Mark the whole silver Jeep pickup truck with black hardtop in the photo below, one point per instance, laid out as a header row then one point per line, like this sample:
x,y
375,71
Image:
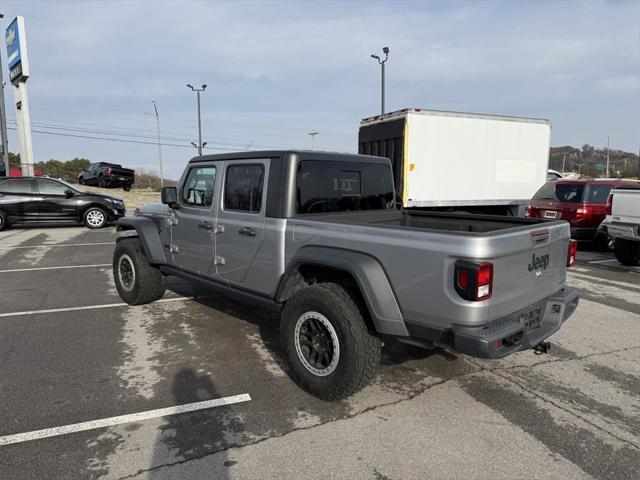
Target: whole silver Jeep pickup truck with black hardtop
x,y
317,235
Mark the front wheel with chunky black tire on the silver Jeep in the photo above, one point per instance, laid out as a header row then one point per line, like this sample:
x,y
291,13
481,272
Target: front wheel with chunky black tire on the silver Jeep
x,y
147,284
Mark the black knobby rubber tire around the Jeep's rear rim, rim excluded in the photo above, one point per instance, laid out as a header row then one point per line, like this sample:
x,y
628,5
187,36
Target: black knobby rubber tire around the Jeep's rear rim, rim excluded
x,y
359,349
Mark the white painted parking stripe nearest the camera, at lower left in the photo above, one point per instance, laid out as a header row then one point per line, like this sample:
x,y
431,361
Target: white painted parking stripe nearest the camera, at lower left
x,y
122,419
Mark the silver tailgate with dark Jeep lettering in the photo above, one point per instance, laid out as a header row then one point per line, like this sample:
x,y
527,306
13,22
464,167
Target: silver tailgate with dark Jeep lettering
x,y
528,267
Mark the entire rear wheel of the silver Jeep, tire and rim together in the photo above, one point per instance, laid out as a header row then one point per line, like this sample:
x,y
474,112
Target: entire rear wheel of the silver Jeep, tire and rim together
x,y
330,351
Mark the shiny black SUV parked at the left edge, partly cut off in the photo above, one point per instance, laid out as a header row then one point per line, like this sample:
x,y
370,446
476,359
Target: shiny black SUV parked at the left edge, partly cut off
x,y
44,200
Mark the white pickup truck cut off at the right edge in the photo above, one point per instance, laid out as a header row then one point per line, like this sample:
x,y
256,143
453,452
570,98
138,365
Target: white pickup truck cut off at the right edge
x,y
623,224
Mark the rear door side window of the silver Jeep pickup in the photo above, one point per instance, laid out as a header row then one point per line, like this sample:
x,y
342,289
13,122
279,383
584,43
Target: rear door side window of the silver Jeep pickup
x,y
243,188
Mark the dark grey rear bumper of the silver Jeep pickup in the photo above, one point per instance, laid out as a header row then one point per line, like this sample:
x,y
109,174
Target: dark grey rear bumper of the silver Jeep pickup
x,y
521,330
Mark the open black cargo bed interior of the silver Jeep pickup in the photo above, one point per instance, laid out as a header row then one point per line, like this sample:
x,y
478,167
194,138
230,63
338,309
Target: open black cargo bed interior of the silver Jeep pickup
x,y
435,221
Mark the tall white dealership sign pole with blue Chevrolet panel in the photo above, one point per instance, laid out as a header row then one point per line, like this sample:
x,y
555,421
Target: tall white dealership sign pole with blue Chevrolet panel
x,y
18,74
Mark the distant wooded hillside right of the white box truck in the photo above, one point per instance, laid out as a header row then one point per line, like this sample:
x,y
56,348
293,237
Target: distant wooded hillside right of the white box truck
x,y
592,162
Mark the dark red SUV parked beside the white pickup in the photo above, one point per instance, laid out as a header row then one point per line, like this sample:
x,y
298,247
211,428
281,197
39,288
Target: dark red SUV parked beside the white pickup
x,y
582,202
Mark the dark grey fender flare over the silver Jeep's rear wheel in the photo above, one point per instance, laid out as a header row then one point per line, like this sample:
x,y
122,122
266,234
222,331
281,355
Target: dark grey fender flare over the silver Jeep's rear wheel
x,y
368,273
